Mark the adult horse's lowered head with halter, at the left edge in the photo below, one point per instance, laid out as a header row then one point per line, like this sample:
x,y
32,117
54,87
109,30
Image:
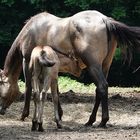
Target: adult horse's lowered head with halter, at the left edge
x,y
8,92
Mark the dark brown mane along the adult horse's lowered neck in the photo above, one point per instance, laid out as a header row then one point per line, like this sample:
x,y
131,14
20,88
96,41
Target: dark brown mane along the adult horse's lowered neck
x,y
14,57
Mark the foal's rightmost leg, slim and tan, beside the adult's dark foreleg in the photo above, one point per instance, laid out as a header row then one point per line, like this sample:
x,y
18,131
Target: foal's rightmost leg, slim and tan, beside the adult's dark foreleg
x,y
56,102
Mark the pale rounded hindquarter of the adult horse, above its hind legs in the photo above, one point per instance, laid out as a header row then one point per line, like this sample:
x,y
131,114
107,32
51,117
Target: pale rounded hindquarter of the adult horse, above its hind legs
x,y
89,36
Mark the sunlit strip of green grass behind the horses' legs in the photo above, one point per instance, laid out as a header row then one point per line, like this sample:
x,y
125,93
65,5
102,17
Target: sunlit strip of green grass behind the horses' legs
x,y
66,84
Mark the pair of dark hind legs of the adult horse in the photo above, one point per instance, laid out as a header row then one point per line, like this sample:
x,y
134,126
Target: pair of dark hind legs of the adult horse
x,y
101,95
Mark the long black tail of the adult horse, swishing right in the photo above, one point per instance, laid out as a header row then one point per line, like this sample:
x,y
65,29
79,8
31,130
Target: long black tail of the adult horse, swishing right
x,y
128,37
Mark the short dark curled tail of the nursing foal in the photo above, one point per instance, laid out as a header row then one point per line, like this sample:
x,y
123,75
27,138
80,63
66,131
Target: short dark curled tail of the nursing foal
x,y
44,60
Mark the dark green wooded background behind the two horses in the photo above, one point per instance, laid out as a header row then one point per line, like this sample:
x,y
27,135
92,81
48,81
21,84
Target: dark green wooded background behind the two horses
x,y
14,13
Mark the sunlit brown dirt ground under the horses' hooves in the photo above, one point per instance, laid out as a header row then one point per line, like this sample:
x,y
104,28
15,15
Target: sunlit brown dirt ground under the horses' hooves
x,y
124,123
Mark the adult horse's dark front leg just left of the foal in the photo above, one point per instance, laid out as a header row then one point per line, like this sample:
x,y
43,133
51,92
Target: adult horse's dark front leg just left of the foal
x,y
28,89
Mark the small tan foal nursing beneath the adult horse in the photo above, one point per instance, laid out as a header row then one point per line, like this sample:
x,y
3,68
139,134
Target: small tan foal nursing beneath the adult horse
x,y
44,66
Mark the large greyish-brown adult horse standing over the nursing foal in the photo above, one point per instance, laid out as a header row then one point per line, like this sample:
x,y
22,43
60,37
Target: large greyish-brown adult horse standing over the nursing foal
x,y
89,36
